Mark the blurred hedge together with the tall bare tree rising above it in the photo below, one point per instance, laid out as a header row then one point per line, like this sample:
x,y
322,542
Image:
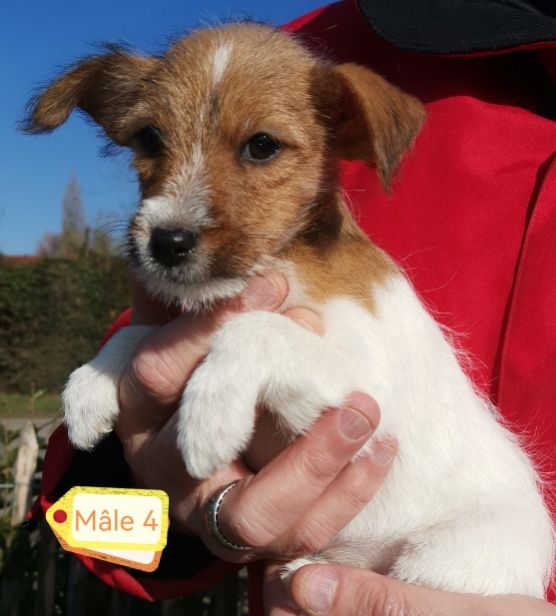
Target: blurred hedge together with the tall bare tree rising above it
x,y
56,305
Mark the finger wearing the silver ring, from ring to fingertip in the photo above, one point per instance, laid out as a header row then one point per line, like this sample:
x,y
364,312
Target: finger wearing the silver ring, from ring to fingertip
x,y
262,509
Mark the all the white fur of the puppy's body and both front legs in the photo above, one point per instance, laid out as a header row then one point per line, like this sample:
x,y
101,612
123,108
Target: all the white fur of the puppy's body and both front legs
x,y
460,509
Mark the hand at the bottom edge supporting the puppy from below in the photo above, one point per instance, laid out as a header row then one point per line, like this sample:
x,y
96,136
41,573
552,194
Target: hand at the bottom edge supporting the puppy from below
x,y
343,591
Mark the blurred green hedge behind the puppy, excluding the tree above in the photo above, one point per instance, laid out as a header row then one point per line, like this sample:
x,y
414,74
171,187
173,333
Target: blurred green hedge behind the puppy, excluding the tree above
x,y
53,313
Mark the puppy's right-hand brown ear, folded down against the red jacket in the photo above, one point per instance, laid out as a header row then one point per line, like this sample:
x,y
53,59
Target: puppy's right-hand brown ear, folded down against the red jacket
x,y
369,118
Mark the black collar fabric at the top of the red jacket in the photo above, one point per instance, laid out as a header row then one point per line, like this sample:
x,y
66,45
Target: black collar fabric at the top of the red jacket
x,y
461,26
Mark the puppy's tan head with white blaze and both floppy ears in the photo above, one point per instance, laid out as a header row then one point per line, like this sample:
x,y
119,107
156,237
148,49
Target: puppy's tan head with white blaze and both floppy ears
x,y
235,132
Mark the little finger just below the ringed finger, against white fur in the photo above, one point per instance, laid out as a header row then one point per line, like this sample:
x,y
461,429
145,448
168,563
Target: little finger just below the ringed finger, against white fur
x,y
344,498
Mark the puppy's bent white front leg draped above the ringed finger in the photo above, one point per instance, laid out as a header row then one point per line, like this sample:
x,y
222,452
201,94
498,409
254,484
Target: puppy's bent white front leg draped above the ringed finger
x,y
252,358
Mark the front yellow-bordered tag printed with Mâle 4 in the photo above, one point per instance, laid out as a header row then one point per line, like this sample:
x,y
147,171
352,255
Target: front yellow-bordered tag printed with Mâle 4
x,y
106,519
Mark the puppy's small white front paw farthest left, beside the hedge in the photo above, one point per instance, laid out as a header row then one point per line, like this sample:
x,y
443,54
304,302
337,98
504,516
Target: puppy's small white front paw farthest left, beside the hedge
x,y
90,405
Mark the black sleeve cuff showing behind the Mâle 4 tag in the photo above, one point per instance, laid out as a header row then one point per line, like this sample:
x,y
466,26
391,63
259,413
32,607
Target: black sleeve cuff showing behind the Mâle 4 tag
x,y
105,466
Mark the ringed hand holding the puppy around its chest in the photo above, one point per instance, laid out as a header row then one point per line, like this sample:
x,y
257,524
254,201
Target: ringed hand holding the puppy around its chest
x,y
269,510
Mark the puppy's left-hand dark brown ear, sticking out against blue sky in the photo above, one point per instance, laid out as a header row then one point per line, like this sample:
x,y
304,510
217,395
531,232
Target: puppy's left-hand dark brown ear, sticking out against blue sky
x,y
102,86
